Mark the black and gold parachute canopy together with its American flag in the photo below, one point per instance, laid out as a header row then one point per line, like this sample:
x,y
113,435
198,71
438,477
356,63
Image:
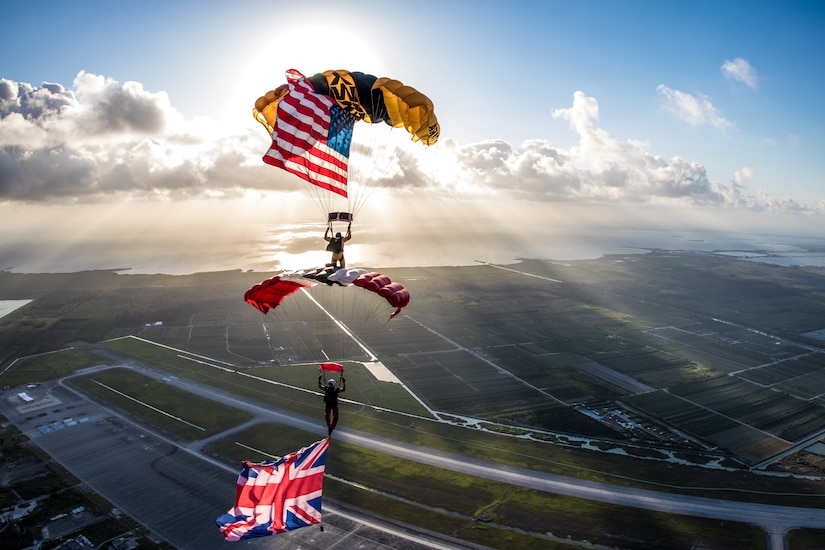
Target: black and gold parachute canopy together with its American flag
x,y
311,121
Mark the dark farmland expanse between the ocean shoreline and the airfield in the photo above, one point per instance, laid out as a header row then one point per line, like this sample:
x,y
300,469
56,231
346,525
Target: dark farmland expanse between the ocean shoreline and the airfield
x,y
708,347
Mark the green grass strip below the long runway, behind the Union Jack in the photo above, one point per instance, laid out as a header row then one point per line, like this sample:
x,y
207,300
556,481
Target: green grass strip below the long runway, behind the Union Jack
x,y
458,504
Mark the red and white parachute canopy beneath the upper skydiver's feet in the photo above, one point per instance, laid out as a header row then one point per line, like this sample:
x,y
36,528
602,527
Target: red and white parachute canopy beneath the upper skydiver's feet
x,y
272,292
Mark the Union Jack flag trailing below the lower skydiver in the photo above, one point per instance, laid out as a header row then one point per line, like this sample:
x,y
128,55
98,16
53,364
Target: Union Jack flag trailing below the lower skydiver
x,y
276,496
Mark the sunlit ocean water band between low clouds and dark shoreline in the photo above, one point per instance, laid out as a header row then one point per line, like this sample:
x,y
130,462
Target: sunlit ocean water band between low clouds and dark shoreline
x,y
300,245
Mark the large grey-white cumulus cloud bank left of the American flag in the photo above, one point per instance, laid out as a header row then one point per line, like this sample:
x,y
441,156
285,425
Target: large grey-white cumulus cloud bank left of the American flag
x,y
104,139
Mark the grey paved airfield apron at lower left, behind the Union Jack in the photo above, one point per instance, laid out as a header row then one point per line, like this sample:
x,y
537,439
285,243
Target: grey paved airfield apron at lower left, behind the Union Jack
x,y
178,493
